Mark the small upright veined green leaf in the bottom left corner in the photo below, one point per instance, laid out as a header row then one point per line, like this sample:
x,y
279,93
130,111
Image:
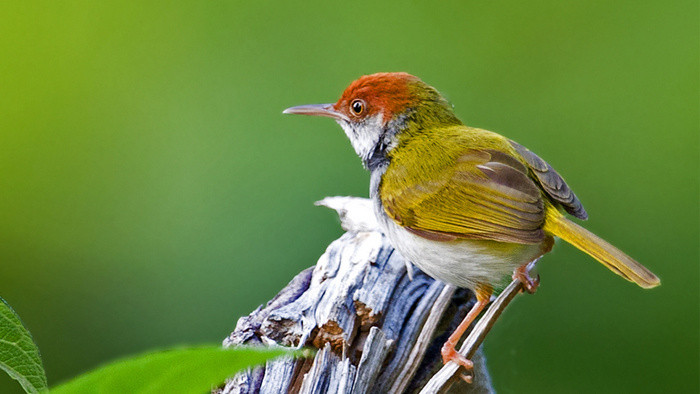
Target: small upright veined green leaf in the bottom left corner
x,y
19,355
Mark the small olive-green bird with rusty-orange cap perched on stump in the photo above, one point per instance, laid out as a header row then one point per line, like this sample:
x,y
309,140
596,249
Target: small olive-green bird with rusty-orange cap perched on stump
x,y
465,205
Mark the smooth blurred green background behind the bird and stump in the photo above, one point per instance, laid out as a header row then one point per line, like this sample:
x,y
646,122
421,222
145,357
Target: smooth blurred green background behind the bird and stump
x,y
152,192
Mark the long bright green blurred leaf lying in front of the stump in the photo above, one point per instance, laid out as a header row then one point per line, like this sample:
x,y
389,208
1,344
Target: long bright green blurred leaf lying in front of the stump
x,y
185,370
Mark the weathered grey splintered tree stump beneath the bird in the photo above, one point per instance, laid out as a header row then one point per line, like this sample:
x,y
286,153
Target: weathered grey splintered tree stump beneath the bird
x,y
378,322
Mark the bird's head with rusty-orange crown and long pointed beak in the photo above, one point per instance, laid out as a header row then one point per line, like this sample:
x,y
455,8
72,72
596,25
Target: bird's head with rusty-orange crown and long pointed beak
x,y
376,111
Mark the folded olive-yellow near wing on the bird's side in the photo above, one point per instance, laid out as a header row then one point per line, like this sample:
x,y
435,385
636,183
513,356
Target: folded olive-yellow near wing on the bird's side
x,y
480,194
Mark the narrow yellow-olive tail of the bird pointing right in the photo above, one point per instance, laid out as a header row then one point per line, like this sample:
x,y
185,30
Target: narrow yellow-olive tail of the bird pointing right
x,y
599,249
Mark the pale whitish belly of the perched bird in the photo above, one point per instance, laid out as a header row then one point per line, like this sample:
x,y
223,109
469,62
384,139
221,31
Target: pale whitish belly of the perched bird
x,y
462,263
